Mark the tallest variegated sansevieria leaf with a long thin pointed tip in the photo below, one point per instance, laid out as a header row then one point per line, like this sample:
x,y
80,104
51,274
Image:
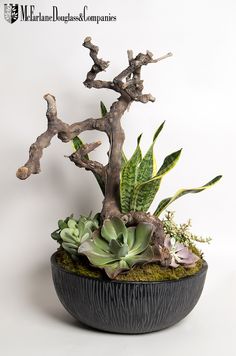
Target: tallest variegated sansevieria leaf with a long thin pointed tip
x,y
147,167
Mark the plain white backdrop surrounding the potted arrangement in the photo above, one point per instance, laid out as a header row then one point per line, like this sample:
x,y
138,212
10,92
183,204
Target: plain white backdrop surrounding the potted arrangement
x,y
195,91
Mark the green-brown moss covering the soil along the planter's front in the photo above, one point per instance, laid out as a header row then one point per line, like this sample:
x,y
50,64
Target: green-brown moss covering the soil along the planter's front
x,y
147,272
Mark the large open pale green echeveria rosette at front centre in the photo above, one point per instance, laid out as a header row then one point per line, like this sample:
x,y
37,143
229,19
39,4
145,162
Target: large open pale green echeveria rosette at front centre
x,y
118,248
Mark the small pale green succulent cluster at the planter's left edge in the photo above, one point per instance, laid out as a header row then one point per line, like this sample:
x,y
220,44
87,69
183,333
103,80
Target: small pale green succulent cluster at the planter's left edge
x,y
71,232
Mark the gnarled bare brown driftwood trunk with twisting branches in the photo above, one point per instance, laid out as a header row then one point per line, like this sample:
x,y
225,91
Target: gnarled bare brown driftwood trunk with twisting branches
x,y
129,85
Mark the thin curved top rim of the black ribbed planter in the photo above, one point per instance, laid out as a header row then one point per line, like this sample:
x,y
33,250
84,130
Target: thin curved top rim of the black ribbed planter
x,y
103,280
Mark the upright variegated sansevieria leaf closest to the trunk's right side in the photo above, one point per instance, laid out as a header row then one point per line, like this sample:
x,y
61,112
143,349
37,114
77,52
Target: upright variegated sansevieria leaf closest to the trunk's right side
x,y
128,178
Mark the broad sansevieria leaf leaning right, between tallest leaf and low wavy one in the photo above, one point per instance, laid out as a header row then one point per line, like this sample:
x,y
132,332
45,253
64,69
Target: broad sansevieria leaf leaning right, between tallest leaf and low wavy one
x,y
145,192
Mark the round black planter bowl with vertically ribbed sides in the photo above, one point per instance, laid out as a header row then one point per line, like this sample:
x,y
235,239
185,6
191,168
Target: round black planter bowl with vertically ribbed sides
x,y
127,307
